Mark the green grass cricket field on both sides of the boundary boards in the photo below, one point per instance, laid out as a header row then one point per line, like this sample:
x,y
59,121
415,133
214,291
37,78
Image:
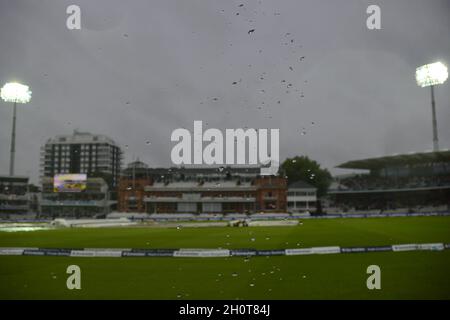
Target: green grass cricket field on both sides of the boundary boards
x,y
404,275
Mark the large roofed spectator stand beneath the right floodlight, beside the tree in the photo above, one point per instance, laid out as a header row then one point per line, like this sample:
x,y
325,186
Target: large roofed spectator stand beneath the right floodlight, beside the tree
x,y
415,182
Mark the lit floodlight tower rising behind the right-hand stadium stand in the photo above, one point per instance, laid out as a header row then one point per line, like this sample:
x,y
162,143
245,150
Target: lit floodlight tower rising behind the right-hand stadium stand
x,y
430,75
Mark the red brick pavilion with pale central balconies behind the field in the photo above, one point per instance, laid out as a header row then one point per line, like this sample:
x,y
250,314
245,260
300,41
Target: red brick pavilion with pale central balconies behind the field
x,y
202,190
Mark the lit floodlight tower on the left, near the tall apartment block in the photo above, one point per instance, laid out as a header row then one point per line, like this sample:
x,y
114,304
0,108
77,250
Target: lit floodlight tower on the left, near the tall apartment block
x,y
16,93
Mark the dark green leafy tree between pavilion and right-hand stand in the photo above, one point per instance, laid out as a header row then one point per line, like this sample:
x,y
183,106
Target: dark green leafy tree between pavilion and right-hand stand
x,y
301,168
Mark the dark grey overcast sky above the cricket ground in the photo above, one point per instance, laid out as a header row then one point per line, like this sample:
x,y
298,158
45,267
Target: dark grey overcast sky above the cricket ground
x,y
137,70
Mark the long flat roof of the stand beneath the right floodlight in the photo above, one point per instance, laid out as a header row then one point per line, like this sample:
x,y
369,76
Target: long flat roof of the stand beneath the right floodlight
x,y
398,159
